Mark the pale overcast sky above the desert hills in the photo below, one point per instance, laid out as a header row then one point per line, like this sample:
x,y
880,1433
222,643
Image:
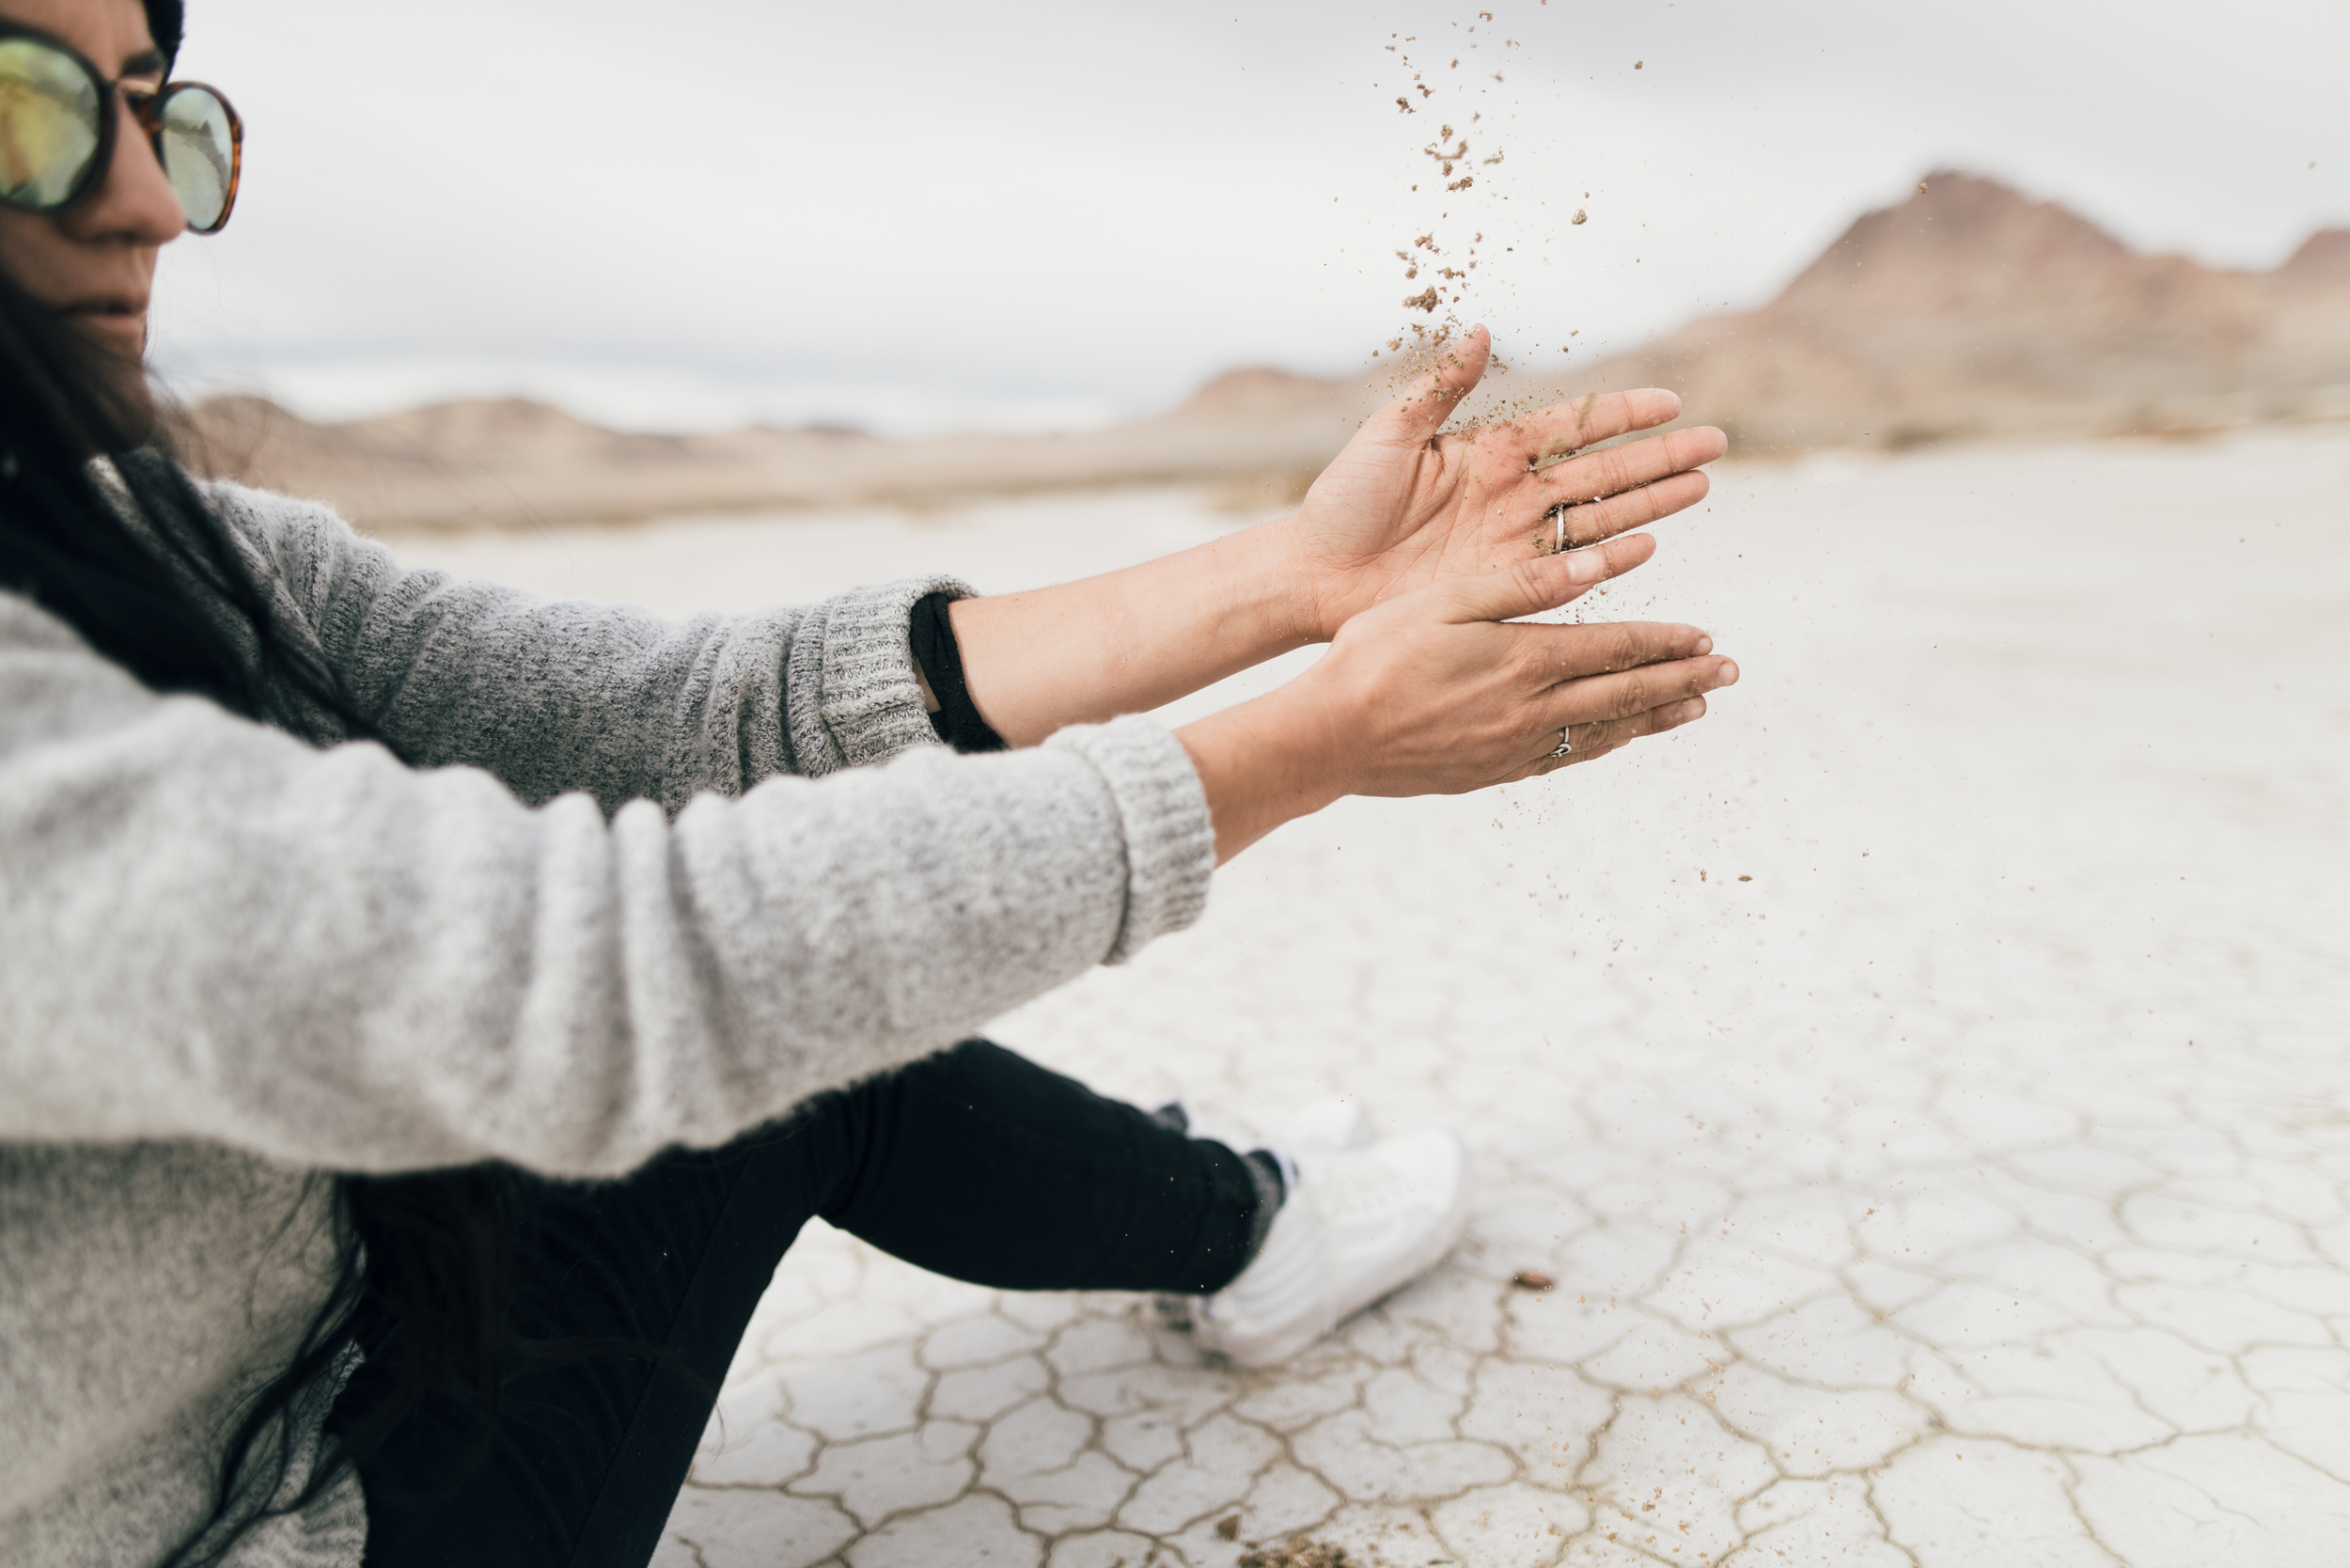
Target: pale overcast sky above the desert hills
x,y
1059,213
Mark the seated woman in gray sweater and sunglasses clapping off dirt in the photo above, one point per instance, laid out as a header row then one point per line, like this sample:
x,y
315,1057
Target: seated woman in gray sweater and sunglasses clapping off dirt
x,y
429,1012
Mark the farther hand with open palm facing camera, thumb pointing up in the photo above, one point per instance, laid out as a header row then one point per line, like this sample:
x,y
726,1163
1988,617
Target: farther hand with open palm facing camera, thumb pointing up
x,y
1404,507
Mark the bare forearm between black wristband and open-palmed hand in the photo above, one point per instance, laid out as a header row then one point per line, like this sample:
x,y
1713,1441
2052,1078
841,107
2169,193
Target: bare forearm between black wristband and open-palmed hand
x,y
1132,641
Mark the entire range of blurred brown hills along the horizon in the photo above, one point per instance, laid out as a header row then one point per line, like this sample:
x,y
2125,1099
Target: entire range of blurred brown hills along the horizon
x,y
1966,311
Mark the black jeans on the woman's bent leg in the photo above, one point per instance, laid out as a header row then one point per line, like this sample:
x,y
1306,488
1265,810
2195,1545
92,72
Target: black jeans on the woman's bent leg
x,y
974,1165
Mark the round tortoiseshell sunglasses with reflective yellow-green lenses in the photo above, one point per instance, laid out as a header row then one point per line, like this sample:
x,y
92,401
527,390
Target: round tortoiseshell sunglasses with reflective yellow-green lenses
x,y
58,133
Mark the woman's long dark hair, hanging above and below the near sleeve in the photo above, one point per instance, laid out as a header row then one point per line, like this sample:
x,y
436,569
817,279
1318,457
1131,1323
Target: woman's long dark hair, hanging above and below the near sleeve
x,y
438,1254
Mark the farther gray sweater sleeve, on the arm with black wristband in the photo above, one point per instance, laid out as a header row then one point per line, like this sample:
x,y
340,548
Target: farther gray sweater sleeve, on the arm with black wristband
x,y
610,699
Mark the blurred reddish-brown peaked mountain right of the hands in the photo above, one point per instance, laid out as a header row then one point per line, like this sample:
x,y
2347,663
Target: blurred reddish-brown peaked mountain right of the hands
x,y
1975,311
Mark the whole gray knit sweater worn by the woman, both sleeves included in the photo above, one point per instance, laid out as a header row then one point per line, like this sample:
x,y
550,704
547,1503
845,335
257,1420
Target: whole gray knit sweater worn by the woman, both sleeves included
x,y
650,885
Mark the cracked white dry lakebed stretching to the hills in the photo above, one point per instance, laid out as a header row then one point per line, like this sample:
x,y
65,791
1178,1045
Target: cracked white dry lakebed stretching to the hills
x,y
1966,1188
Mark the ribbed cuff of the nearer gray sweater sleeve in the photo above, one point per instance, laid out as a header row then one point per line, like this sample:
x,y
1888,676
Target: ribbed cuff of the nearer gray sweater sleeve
x,y
1169,838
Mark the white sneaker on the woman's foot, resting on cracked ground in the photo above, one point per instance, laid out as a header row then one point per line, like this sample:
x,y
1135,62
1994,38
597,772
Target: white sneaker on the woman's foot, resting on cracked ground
x,y
1357,1226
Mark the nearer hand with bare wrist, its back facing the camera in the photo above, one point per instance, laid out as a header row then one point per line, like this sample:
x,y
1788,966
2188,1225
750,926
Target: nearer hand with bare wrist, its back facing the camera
x,y
1439,692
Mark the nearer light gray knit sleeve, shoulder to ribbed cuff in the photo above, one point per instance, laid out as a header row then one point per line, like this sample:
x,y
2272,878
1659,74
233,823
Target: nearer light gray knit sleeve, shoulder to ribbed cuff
x,y
217,932
